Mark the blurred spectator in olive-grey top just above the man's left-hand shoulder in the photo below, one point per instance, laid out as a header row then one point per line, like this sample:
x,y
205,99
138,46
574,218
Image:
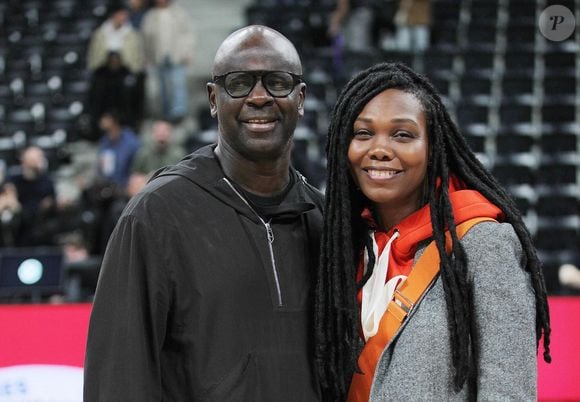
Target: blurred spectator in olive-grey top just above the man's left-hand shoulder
x,y
161,151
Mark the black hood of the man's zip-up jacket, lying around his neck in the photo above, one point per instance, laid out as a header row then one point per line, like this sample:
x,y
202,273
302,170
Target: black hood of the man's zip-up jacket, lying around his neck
x,y
202,168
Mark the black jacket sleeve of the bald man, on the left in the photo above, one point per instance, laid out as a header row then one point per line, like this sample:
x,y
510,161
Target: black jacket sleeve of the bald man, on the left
x,y
128,320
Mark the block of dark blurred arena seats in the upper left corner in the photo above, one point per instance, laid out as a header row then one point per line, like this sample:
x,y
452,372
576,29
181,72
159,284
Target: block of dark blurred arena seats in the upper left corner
x,y
43,79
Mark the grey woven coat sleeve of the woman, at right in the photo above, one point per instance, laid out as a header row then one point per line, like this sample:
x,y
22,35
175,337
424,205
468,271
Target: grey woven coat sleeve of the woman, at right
x,y
504,314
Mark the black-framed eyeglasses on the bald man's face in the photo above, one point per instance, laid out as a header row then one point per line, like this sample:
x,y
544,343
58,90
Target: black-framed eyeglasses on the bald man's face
x,y
238,84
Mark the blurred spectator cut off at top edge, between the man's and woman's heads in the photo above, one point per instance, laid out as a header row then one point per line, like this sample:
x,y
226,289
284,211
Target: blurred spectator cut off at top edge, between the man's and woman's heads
x,y
352,22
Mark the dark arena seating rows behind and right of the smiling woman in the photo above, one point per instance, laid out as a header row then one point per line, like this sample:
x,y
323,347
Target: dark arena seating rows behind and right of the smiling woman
x,y
514,94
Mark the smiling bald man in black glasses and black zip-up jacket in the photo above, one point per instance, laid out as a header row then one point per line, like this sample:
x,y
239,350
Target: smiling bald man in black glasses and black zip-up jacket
x,y
204,291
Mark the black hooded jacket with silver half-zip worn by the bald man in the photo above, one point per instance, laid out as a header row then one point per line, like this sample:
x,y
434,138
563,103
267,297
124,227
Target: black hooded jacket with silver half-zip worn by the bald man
x,y
199,299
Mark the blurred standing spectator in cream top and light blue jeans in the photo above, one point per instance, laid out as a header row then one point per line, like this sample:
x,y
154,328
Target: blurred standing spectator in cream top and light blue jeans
x,y
168,39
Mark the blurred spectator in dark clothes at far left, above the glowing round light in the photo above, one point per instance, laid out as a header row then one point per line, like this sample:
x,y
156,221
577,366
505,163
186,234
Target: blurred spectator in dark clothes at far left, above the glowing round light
x,y
36,194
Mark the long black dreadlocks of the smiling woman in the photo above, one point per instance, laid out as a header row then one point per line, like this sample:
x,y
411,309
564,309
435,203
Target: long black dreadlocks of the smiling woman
x,y
338,342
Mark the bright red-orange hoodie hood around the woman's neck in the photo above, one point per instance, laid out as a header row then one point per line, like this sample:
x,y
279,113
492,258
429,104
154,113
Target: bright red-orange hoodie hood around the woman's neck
x,y
415,228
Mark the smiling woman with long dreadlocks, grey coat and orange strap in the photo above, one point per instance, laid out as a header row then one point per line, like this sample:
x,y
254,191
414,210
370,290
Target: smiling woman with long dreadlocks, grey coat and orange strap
x,y
429,286
